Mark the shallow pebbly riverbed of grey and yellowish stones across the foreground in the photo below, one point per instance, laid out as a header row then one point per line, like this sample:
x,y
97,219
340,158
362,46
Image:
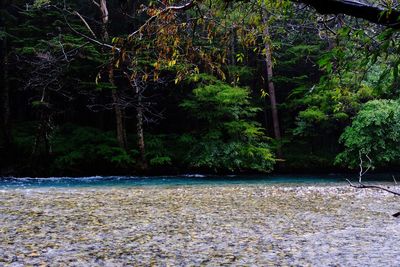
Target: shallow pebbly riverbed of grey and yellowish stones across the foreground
x,y
237,225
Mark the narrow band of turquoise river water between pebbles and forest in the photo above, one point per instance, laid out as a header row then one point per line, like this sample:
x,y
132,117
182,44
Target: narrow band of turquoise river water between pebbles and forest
x,y
184,180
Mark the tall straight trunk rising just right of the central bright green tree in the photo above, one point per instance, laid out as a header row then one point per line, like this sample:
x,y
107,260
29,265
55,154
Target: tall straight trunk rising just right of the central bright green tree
x,y
271,87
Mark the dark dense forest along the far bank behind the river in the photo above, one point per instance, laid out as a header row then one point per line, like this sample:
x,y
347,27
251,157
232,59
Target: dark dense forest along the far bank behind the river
x,y
126,87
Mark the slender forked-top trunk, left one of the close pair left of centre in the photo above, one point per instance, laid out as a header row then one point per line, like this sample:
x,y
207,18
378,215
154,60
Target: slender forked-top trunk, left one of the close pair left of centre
x,y
119,114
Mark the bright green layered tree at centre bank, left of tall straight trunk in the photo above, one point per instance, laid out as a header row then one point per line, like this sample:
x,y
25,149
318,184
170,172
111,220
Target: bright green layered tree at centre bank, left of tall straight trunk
x,y
230,140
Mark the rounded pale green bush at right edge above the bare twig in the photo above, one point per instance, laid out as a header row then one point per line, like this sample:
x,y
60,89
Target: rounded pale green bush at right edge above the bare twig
x,y
375,132
